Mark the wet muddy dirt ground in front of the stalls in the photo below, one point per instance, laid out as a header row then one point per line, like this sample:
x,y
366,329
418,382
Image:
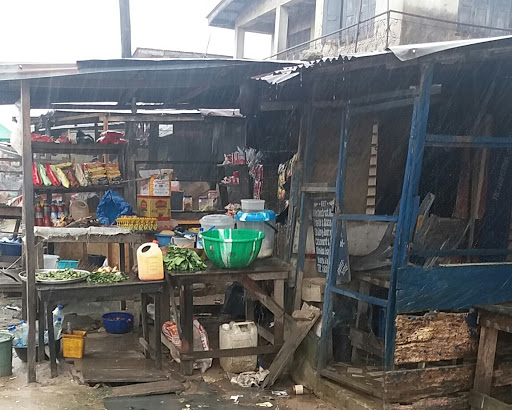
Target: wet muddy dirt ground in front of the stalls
x,y
63,393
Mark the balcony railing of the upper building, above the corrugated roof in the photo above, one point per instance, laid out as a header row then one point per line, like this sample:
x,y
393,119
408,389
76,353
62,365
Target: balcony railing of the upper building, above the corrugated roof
x,y
384,30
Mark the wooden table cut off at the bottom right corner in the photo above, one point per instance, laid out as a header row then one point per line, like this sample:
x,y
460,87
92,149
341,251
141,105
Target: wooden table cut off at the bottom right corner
x,y
492,320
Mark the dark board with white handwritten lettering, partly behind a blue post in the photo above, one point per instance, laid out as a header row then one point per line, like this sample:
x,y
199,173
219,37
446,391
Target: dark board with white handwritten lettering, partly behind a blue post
x,y
322,228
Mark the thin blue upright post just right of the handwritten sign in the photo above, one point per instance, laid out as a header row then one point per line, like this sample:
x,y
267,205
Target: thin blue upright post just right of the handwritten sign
x,y
330,283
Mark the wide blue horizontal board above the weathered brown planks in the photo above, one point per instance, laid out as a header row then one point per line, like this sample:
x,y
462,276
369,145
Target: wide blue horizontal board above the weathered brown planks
x,y
440,287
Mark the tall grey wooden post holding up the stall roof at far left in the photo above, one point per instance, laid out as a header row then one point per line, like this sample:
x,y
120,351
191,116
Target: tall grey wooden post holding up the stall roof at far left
x,y
28,218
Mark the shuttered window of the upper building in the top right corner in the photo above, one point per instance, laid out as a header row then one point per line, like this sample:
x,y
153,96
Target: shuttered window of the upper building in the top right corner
x,y
490,14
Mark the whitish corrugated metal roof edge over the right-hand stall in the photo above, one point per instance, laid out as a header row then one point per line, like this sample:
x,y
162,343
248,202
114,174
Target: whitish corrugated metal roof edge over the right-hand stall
x,y
402,53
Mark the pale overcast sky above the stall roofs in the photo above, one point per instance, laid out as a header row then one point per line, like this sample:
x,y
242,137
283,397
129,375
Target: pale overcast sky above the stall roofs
x,y
69,30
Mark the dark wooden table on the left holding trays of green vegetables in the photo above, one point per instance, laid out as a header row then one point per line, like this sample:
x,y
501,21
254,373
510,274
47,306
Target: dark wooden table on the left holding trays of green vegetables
x,y
52,295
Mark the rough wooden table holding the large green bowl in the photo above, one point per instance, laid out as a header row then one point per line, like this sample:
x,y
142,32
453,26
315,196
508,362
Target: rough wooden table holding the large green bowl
x,y
271,269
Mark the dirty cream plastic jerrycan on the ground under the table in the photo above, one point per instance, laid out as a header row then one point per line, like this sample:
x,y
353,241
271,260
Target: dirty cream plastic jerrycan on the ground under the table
x,y
236,335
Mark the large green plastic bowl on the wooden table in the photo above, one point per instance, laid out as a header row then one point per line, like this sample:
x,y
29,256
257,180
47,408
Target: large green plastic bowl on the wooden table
x,y
232,248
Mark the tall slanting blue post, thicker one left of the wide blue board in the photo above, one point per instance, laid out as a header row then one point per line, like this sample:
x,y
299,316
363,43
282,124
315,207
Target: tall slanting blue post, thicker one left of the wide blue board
x,y
407,203
